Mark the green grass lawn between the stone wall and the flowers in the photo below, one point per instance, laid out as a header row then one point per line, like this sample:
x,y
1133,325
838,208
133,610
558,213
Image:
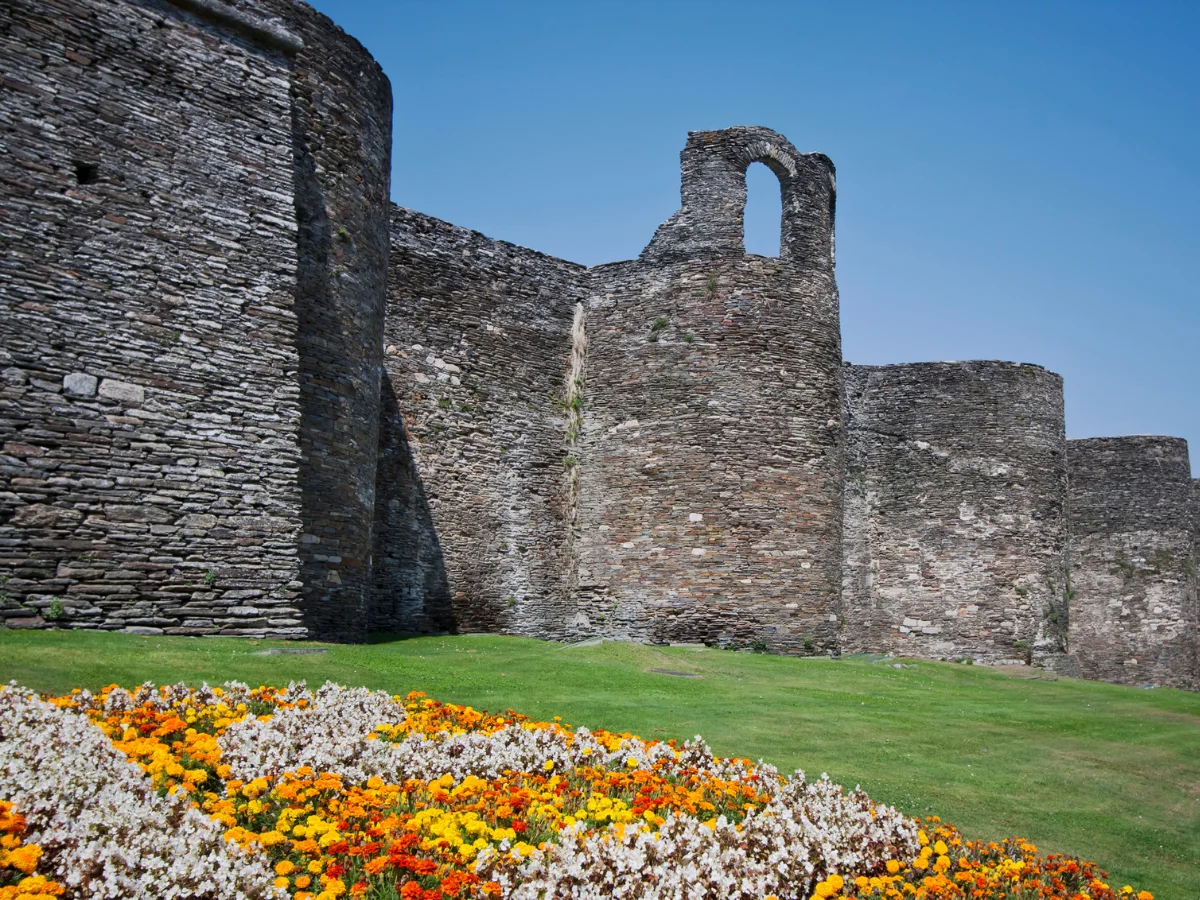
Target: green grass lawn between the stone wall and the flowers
x,y
1106,772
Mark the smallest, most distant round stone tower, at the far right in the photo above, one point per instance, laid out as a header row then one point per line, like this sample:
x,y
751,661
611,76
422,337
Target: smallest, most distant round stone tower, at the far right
x,y
1133,614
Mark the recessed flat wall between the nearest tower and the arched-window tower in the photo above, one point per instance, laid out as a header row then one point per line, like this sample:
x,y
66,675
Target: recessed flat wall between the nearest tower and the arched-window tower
x,y
475,483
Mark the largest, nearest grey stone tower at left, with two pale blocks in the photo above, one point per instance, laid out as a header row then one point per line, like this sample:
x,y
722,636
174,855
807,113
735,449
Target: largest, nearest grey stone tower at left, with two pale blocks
x,y
153,286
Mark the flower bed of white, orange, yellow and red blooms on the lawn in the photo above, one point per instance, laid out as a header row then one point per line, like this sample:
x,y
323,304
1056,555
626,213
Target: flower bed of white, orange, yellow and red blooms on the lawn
x,y
339,793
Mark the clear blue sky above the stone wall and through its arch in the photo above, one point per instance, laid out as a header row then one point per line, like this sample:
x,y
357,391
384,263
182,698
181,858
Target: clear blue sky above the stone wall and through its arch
x,y
1016,181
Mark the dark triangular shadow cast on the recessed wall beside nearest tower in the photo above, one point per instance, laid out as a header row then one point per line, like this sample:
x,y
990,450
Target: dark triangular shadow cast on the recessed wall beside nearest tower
x,y
412,592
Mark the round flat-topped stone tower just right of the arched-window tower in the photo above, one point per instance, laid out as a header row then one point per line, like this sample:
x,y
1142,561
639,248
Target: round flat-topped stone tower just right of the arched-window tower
x,y
956,511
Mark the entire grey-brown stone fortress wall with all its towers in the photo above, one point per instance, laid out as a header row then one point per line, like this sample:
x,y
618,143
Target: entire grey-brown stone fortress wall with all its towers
x,y
243,394
